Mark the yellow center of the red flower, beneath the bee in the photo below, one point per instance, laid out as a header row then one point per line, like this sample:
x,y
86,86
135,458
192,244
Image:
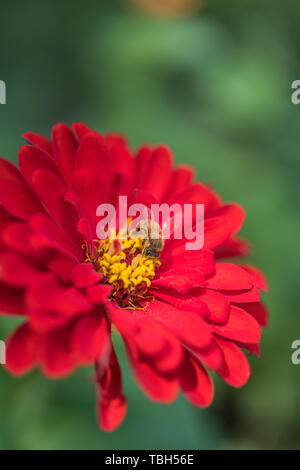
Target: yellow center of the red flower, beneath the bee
x,y
122,261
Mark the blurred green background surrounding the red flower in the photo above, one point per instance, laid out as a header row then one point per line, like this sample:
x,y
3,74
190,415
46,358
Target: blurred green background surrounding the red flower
x,y
212,80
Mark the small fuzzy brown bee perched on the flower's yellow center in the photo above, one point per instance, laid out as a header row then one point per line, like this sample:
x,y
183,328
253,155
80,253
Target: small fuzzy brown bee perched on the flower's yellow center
x,y
150,232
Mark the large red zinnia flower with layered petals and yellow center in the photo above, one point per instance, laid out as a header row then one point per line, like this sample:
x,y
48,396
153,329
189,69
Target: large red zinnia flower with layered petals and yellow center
x,y
177,319
